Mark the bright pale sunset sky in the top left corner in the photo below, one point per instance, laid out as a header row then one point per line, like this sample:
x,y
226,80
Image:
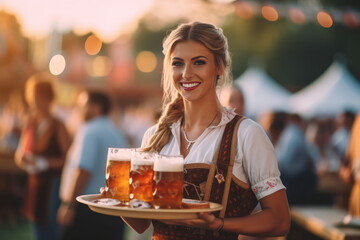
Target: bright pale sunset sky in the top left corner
x,y
106,17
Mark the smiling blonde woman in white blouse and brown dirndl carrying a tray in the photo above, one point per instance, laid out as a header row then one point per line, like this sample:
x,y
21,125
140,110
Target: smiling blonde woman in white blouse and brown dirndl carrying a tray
x,y
192,124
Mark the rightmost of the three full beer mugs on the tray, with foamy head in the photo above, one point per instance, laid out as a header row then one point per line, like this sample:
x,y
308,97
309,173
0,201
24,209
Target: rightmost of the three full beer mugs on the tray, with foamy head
x,y
168,181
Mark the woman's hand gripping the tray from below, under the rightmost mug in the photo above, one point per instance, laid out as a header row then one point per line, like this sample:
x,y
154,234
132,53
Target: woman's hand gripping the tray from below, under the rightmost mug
x,y
205,220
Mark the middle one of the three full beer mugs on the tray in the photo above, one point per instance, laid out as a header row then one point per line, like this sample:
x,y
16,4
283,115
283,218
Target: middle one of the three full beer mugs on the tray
x,y
141,176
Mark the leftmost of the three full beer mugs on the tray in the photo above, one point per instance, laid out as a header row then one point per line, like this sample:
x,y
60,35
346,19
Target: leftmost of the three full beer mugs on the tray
x,y
118,173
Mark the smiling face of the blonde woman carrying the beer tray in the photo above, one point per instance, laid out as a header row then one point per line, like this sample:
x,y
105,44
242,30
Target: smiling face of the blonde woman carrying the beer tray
x,y
194,71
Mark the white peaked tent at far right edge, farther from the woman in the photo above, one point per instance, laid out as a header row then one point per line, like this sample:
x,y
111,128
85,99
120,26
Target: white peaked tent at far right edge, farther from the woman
x,y
334,91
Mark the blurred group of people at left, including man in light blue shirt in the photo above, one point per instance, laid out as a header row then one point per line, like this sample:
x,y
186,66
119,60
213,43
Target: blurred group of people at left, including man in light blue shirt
x,y
59,153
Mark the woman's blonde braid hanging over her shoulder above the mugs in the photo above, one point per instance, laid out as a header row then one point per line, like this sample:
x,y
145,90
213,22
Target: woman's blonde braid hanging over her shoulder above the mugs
x,y
172,113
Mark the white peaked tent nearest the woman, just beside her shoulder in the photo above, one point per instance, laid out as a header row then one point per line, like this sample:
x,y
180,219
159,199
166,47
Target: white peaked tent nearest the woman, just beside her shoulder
x,y
261,93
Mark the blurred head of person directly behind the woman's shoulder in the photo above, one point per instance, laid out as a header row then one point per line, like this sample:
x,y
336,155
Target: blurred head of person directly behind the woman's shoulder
x,y
232,96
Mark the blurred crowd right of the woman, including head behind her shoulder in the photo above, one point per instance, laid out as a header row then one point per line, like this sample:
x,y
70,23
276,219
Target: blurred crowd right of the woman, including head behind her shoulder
x,y
316,162
